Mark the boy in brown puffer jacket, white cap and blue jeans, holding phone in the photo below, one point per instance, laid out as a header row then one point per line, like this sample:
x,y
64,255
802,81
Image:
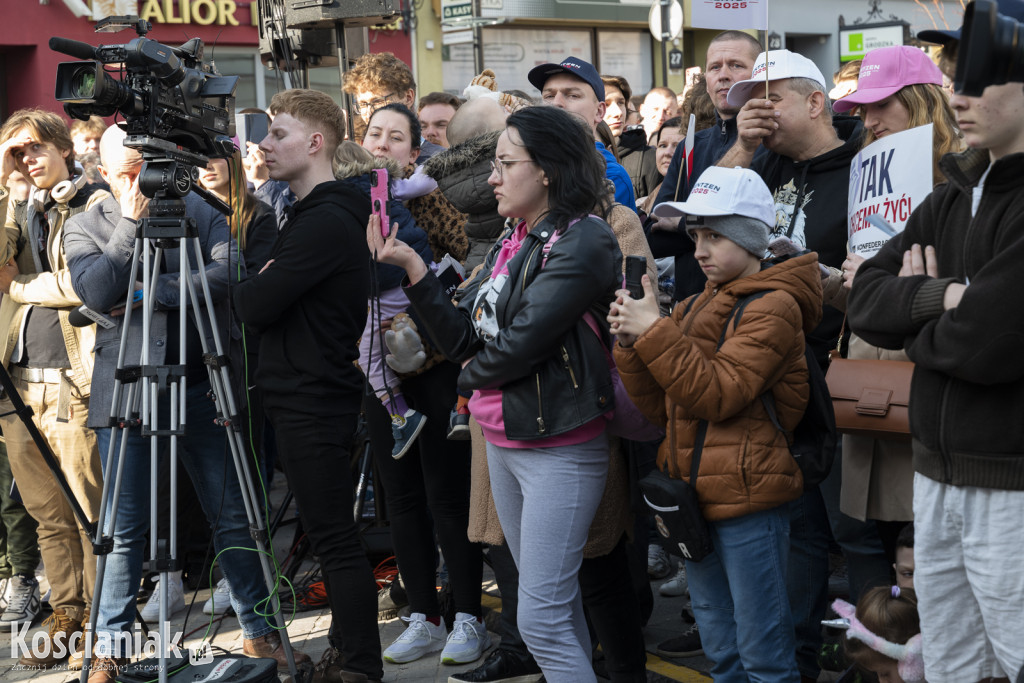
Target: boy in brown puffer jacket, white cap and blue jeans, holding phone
x,y
677,376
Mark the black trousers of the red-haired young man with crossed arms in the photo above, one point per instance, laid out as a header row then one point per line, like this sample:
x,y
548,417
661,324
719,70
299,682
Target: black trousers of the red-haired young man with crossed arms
x,y
315,452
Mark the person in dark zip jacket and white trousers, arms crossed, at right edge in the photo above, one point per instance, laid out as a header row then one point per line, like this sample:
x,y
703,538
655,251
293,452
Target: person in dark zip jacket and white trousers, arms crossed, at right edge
x,y
947,289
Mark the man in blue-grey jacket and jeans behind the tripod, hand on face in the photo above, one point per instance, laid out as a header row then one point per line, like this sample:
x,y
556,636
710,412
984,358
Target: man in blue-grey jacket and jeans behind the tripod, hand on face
x,y
100,247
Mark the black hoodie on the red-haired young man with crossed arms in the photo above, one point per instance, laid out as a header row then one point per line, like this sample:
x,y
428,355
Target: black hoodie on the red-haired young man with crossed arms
x,y
311,305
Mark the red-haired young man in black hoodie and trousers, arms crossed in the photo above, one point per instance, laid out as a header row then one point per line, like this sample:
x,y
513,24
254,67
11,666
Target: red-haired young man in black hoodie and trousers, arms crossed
x,y
309,304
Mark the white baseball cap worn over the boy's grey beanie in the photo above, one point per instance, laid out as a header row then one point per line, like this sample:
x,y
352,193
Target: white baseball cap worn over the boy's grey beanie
x,y
726,192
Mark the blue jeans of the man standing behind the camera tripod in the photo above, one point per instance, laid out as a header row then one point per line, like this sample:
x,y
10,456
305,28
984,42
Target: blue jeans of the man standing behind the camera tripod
x,y
207,459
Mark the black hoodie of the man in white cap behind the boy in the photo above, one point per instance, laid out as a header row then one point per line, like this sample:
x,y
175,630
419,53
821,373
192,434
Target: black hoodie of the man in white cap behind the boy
x,y
810,209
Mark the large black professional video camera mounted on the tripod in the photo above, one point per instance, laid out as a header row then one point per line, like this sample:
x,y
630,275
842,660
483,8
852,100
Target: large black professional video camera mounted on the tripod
x,y
176,106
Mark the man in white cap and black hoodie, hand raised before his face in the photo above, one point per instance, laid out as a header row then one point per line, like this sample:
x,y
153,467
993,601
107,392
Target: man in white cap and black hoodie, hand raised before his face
x,y
785,109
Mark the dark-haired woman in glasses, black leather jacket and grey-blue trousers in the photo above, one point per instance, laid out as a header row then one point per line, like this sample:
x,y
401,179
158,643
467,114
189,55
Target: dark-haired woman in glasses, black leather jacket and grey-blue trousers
x,y
538,373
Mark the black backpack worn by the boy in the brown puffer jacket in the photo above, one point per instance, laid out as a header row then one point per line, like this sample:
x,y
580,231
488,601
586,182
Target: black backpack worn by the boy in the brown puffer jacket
x,y
814,441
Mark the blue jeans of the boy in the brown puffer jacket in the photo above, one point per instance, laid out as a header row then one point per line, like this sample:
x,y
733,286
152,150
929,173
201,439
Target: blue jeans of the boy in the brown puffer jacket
x,y
741,603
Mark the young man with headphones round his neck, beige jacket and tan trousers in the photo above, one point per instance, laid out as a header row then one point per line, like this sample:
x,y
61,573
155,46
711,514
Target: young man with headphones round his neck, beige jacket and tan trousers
x,y
51,363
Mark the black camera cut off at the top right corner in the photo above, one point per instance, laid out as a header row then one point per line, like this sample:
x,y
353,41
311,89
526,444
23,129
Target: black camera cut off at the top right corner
x,y
992,50
